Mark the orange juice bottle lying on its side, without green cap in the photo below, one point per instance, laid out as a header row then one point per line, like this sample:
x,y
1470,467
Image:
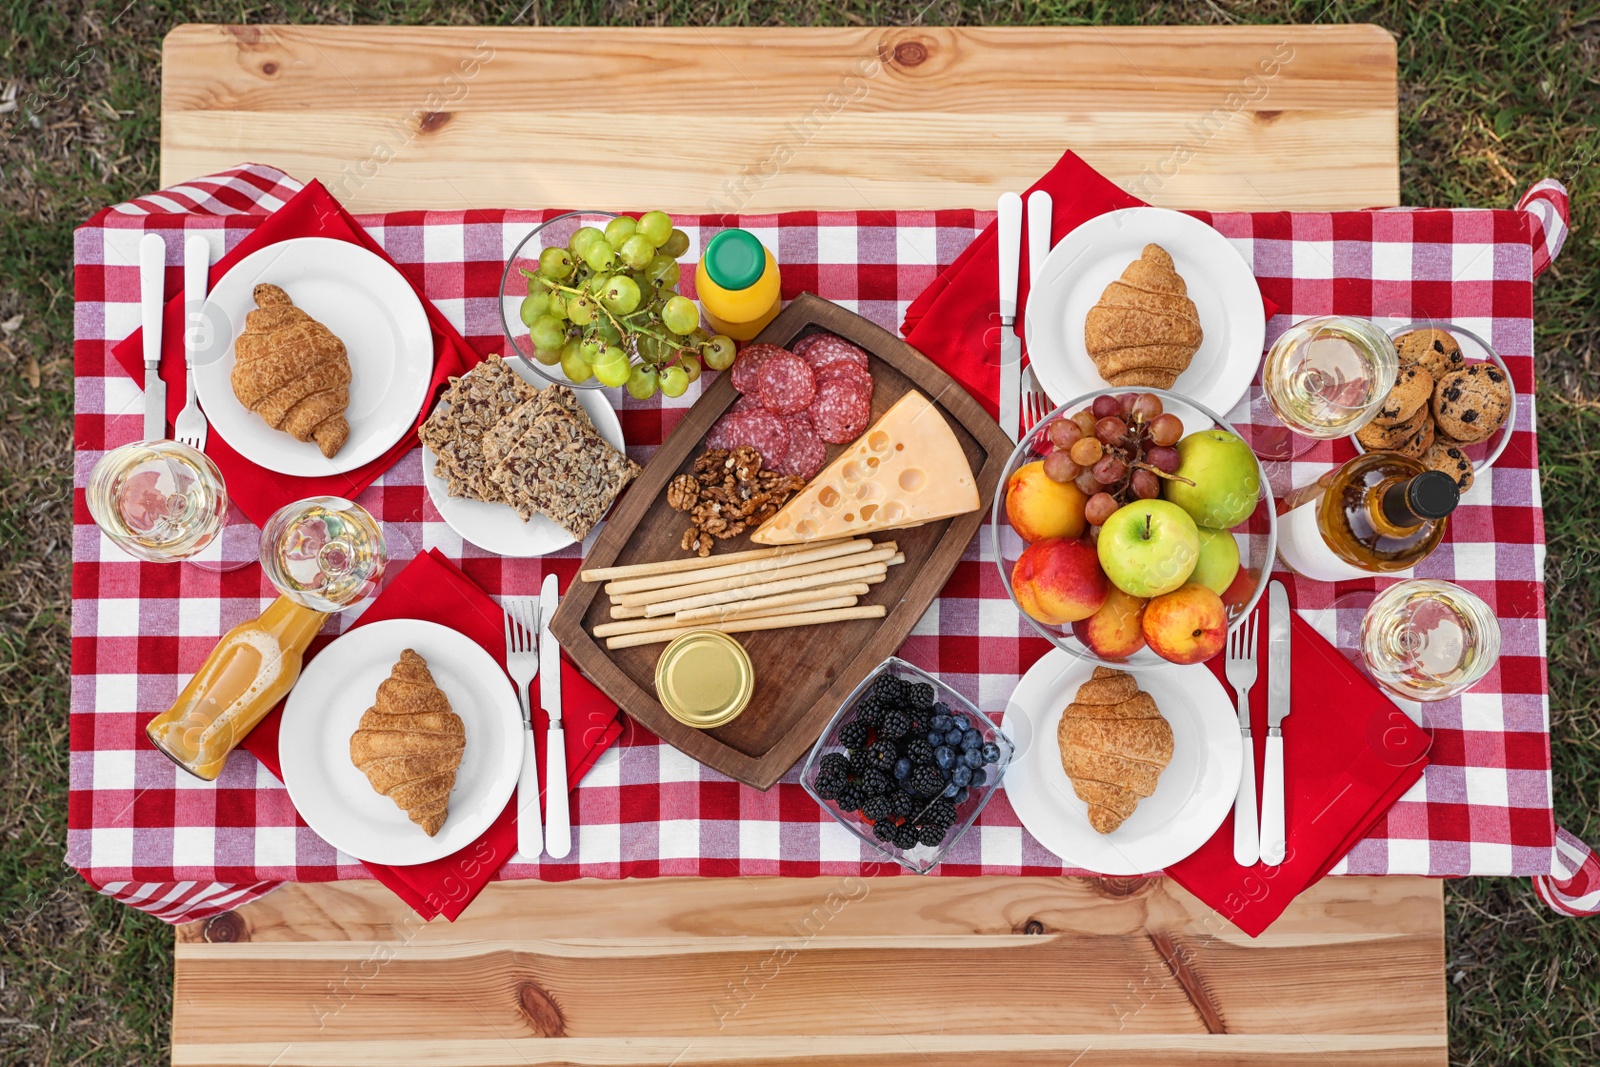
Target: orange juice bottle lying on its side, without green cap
x,y
250,671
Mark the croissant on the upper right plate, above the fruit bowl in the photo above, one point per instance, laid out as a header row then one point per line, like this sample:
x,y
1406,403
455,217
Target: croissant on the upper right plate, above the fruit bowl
x,y
1145,329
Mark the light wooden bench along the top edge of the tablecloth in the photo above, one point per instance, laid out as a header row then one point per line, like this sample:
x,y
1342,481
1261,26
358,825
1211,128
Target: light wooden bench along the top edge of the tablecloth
x,y
726,119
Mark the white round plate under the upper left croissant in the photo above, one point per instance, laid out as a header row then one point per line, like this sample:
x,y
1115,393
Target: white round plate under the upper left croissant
x,y
369,306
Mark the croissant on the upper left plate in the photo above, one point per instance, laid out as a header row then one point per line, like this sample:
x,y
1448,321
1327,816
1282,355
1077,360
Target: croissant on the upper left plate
x,y
294,372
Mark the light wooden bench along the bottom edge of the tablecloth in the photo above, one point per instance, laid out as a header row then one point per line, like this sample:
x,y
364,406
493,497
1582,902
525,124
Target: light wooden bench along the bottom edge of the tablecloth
x,y
873,970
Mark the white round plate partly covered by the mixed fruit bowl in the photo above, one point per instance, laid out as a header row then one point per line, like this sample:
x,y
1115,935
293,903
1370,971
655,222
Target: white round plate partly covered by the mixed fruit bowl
x,y
1191,799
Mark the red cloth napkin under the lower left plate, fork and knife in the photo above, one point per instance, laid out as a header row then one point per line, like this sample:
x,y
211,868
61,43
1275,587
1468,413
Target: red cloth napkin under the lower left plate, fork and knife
x,y
431,588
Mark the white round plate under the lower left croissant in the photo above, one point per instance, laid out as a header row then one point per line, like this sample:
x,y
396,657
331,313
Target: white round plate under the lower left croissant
x,y
326,708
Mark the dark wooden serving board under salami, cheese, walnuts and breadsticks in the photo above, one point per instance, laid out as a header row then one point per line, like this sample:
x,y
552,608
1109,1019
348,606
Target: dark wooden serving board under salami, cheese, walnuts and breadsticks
x,y
802,674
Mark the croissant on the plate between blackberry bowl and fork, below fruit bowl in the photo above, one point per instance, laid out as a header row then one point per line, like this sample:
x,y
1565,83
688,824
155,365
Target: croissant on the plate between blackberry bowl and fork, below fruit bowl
x,y
1114,745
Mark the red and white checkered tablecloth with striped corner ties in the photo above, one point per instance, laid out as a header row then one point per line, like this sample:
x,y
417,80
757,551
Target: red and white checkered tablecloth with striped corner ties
x,y
161,841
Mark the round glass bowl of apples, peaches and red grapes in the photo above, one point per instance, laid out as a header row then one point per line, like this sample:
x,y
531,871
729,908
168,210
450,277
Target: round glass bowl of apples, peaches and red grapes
x,y
1135,529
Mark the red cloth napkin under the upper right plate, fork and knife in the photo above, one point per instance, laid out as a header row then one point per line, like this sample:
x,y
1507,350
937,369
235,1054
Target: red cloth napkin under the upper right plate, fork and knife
x,y
956,322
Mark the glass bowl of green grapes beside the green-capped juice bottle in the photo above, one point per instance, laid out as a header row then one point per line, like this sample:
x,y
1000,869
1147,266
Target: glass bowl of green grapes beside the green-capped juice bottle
x,y
591,300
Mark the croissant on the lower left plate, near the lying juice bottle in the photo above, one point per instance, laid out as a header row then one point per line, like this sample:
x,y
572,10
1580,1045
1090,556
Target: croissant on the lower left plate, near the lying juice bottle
x,y
409,743
